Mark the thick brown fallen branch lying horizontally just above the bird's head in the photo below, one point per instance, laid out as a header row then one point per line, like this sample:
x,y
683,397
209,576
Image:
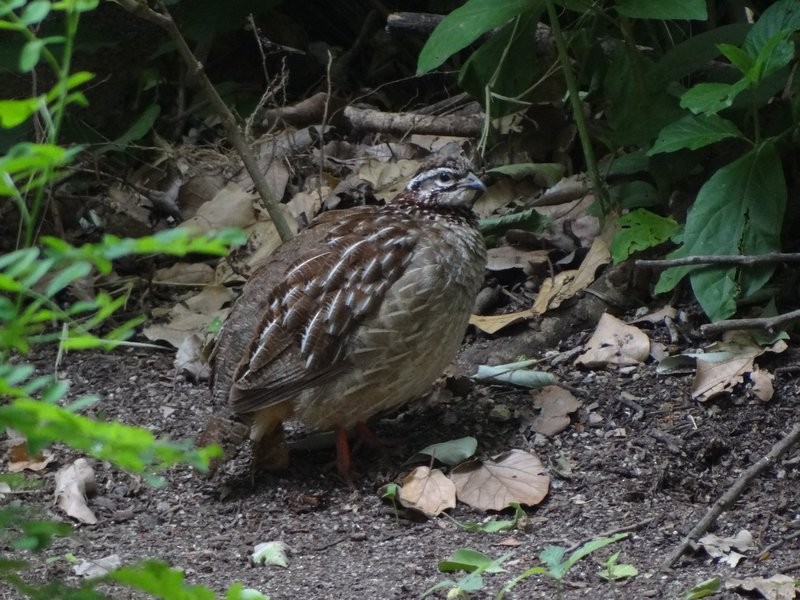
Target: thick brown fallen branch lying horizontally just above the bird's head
x,y
404,123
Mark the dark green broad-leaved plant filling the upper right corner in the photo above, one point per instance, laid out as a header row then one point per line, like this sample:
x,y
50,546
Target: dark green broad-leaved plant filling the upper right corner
x,y
669,108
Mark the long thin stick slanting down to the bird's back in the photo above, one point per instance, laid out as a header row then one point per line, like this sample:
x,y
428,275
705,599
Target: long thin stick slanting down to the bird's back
x,y
164,20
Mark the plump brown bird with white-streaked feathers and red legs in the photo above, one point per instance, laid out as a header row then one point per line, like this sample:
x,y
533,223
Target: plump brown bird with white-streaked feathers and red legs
x,y
357,314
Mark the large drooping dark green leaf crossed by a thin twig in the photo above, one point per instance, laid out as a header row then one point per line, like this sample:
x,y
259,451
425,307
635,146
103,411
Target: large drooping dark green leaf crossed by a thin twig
x,y
739,210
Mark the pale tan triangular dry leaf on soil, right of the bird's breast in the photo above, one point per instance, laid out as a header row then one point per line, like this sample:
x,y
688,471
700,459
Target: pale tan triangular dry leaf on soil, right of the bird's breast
x,y
614,343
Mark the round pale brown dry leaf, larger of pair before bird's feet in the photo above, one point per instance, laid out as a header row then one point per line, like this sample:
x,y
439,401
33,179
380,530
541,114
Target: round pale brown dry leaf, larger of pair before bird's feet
x,y
514,476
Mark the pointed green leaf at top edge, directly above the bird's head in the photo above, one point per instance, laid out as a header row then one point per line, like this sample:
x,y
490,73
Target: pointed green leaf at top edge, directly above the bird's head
x,y
465,24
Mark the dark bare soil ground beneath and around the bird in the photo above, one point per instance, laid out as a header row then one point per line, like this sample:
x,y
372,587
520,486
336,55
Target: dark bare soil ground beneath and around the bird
x,y
653,470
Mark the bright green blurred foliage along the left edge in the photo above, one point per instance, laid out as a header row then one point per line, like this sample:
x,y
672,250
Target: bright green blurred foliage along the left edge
x,y
33,280
